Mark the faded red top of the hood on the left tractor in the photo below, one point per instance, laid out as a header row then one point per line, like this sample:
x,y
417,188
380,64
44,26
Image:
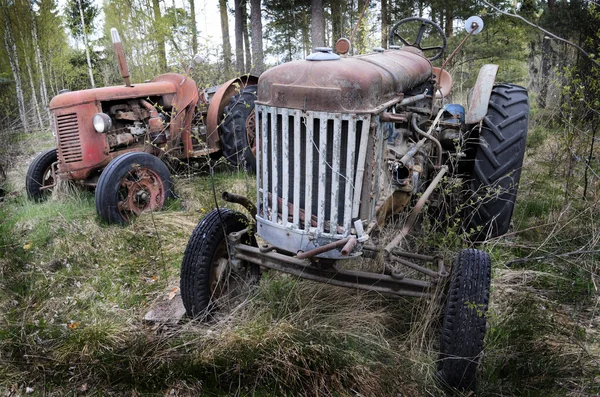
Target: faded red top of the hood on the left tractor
x,y
162,85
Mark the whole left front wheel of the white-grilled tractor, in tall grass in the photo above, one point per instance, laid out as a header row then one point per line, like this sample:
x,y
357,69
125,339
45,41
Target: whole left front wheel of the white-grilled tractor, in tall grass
x,y
208,279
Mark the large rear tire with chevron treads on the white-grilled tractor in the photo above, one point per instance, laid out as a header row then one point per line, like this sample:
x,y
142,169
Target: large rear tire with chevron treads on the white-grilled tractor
x,y
498,161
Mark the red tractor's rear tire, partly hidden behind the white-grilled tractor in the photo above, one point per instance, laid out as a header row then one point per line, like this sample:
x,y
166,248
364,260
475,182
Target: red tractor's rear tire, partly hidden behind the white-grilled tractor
x,y
234,141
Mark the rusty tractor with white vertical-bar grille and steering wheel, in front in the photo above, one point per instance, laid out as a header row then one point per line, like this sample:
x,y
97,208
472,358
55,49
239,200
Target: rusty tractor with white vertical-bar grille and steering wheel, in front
x,y
348,146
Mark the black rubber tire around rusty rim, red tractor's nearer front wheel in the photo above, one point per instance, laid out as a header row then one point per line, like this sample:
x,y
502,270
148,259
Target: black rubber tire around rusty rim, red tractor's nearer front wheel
x,y
109,192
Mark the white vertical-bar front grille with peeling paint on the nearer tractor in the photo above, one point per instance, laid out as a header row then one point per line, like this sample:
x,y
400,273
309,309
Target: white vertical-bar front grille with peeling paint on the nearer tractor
x,y
310,168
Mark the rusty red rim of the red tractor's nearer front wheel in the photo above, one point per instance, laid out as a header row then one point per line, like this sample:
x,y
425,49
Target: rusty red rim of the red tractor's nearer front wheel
x,y
141,190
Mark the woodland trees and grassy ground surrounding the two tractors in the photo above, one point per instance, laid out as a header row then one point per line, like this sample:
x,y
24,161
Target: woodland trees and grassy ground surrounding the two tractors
x,y
73,291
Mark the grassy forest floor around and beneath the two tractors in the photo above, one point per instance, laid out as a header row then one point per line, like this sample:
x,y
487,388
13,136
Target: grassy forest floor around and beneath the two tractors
x,y
74,292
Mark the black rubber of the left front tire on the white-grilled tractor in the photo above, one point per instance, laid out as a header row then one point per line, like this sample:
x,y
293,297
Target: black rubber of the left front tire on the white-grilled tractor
x,y
204,247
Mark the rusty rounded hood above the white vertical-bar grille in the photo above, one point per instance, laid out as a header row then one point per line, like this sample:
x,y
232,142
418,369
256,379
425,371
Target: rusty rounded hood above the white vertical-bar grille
x,y
360,84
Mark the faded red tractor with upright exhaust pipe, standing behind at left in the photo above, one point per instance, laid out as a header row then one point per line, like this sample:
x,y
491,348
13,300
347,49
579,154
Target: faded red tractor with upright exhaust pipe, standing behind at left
x,y
115,138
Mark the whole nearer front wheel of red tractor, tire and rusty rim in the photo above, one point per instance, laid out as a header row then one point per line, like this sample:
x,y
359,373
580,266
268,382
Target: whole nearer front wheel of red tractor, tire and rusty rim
x,y
131,184
